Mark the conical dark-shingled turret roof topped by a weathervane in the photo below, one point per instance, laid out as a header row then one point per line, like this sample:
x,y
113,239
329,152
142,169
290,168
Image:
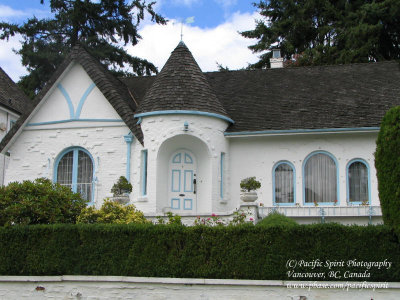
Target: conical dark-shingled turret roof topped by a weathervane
x,y
181,86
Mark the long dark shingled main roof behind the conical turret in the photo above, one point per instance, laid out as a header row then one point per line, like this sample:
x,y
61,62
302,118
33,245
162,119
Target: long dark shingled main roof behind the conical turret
x,y
323,97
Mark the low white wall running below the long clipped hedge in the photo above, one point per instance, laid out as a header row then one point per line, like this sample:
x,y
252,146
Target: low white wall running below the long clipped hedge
x,y
115,287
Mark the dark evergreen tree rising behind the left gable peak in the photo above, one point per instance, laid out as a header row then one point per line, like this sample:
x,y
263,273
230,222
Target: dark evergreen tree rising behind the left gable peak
x,y
99,26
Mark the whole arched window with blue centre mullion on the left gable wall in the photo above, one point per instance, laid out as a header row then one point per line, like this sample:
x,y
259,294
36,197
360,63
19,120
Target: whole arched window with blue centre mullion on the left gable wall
x,y
74,168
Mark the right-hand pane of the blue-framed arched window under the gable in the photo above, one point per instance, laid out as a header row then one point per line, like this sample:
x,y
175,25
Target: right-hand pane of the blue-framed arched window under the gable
x,y
85,175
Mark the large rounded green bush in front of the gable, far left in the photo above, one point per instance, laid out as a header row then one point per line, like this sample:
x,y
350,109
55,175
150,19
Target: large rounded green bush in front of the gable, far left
x,y
38,202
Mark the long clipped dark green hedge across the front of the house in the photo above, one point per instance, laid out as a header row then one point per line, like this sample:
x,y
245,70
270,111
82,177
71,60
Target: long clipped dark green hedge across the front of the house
x,y
241,252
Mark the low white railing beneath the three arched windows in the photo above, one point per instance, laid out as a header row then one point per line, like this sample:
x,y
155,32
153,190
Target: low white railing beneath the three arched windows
x,y
323,212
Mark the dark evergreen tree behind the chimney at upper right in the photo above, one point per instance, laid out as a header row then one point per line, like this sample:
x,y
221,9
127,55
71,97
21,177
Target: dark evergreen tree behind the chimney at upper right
x,y
327,31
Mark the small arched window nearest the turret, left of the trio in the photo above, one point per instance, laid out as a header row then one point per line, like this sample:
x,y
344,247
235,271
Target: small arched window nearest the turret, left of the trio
x,y
283,185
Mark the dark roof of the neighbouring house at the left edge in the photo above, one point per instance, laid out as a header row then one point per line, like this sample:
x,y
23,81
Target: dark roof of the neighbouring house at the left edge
x,y
11,97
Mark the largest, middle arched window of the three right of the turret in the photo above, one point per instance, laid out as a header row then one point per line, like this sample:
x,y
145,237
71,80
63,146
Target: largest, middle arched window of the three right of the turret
x,y
320,179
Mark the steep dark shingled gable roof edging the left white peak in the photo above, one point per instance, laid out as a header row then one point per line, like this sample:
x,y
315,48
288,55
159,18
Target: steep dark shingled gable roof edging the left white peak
x,y
112,88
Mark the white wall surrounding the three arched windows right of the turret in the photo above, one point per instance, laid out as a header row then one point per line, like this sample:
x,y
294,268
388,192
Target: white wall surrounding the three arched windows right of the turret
x,y
256,156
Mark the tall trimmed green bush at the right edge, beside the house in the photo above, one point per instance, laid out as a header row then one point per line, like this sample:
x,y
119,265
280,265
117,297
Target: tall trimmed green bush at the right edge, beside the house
x,y
387,164
